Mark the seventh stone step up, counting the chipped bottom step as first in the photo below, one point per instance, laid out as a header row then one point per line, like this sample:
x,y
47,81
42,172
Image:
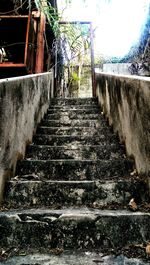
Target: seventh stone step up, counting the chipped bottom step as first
x,y
74,123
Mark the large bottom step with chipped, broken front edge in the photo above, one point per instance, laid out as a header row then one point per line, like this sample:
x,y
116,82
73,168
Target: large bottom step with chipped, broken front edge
x,y
73,229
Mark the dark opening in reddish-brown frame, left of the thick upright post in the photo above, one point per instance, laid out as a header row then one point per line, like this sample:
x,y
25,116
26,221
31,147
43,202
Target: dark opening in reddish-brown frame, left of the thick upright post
x,y
17,44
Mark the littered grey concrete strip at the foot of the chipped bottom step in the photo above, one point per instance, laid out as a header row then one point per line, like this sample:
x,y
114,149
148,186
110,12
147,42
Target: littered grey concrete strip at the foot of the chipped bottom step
x,y
60,257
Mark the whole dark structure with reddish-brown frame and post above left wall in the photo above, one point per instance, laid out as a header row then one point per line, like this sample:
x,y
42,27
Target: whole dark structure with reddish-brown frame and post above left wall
x,y
25,41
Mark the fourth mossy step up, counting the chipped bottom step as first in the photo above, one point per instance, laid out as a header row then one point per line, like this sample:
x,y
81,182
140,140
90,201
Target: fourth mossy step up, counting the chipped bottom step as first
x,y
72,152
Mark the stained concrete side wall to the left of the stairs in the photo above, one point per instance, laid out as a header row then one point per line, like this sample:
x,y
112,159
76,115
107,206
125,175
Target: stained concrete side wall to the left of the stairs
x,y
23,102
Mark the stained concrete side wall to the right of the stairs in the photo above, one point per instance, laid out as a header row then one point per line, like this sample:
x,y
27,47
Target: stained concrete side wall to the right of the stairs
x,y
125,101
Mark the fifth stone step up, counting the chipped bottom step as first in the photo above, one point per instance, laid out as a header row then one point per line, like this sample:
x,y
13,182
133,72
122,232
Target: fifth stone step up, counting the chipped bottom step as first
x,y
74,141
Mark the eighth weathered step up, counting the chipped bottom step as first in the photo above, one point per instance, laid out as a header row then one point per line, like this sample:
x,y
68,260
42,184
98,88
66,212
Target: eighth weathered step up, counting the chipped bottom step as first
x,y
75,116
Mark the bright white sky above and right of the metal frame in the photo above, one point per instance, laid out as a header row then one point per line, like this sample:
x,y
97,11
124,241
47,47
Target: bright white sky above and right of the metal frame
x,y
118,22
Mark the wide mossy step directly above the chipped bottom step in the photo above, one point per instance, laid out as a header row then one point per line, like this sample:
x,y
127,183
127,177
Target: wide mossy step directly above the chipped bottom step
x,y
55,194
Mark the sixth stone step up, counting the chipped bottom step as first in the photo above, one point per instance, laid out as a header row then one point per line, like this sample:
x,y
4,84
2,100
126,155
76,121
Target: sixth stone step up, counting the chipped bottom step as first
x,y
74,131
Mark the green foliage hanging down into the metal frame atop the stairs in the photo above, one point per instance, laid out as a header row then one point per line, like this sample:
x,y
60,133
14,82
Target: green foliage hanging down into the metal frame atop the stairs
x,y
71,42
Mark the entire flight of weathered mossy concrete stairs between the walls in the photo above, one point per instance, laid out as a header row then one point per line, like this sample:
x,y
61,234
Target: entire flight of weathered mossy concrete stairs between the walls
x,y
72,190
